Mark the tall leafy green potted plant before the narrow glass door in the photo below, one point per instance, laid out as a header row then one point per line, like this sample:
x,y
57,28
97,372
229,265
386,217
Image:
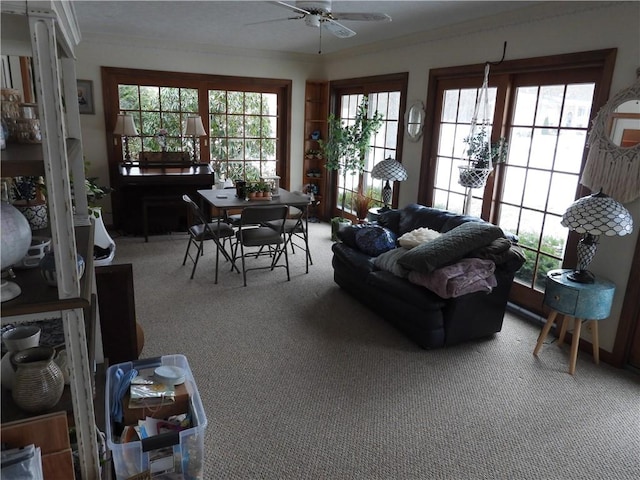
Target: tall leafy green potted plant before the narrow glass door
x,y
345,149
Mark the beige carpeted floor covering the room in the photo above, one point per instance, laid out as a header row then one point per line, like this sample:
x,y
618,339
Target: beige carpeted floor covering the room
x,y
299,381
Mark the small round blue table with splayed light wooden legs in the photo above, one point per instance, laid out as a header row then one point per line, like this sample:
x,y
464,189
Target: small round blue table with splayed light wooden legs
x,y
588,301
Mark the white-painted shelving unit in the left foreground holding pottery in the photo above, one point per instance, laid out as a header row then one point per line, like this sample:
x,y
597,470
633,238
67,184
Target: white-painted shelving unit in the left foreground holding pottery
x,y
48,31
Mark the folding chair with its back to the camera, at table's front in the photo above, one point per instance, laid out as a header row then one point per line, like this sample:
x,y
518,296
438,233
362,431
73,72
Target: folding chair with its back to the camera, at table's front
x,y
261,235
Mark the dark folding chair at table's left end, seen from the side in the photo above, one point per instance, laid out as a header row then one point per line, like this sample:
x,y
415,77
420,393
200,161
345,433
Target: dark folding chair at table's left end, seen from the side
x,y
202,230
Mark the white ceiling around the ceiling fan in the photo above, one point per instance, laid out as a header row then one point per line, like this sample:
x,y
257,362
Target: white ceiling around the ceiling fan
x,y
226,23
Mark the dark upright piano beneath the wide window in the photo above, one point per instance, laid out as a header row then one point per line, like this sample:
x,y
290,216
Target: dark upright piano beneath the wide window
x,y
148,196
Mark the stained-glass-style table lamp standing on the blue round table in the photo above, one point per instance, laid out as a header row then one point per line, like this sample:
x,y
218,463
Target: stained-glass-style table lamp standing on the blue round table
x,y
594,215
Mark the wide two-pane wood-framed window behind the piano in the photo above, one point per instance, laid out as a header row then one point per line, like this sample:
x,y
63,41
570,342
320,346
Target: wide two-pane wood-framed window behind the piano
x,y
247,119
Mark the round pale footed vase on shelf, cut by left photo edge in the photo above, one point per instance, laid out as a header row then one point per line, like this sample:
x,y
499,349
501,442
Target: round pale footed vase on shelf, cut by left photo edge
x,y
16,240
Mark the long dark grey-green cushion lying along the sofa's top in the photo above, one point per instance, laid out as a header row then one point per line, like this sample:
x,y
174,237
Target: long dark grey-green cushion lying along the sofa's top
x,y
450,246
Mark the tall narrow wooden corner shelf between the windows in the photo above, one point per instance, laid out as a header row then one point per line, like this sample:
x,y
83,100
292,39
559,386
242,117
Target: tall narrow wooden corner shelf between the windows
x,y
316,112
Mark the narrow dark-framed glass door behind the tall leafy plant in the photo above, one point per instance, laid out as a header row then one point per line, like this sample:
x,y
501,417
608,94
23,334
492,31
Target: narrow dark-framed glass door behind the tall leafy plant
x,y
387,96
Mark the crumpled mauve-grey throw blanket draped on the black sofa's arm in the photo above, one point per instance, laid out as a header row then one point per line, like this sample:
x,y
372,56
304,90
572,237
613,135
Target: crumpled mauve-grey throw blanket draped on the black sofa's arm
x,y
466,276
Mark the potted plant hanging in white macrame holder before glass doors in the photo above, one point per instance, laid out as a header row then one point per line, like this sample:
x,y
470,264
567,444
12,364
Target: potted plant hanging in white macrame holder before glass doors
x,y
479,155
